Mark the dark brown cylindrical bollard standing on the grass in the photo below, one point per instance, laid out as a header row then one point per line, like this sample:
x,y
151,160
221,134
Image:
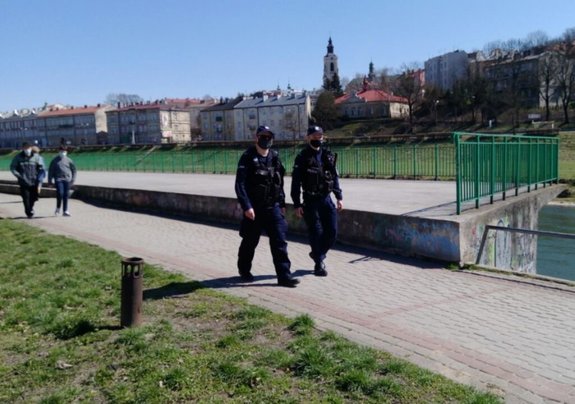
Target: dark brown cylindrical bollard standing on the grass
x,y
132,294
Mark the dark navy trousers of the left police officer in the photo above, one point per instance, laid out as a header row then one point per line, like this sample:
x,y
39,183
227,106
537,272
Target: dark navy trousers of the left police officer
x,y
273,222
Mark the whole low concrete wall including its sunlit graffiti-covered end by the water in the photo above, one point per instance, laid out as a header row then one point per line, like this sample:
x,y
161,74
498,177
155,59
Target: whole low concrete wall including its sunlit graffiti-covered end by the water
x,y
449,238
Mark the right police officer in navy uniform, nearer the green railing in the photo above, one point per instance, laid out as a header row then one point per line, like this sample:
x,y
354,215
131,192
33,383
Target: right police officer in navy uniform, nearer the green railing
x,y
315,174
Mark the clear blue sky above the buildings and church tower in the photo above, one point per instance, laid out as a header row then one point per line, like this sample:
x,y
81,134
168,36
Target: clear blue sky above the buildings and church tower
x,y
79,51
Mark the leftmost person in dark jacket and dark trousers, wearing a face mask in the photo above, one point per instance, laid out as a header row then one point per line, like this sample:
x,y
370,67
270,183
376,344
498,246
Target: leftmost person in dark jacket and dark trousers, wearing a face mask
x,y
28,168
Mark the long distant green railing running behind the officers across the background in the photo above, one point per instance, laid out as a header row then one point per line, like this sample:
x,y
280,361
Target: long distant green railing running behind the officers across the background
x,y
433,161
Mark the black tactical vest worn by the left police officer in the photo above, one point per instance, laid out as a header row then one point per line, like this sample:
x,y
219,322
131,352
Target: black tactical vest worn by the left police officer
x,y
264,180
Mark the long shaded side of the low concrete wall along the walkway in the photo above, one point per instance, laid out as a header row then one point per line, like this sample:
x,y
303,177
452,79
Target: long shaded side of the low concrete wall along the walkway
x,y
405,235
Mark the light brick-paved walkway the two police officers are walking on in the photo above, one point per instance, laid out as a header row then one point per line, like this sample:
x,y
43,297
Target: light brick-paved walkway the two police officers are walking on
x,y
512,337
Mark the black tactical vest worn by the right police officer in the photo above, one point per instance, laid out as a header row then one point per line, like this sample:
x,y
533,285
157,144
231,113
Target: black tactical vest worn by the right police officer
x,y
318,177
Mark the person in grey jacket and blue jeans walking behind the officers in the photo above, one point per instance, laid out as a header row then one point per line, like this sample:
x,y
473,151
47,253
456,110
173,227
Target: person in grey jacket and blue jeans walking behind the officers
x,y
62,172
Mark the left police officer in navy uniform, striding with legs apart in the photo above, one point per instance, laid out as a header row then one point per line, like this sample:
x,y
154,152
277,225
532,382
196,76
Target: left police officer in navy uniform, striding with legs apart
x,y
259,188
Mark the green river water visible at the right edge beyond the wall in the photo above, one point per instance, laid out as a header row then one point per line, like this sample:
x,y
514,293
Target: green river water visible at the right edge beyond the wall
x,y
556,256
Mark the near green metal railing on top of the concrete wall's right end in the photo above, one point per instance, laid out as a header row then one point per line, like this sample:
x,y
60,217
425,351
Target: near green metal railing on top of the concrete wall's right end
x,y
488,165
